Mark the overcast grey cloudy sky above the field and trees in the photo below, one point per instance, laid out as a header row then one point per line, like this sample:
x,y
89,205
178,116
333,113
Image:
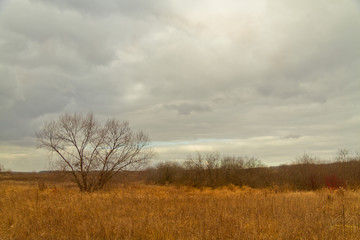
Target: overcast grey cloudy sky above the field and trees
x,y
265,78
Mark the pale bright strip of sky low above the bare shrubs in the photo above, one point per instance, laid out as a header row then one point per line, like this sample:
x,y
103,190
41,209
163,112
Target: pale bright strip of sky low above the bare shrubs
x,y
260,147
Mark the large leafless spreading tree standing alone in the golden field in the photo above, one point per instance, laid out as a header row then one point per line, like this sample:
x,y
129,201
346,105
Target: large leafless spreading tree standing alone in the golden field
x,y
91,151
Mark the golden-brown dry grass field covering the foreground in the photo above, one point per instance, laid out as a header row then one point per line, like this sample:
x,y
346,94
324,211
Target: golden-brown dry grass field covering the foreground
x,y
155,212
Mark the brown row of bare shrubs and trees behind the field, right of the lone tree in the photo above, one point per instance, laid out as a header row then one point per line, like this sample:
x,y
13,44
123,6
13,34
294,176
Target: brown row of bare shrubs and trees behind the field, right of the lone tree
x,y
213,170
